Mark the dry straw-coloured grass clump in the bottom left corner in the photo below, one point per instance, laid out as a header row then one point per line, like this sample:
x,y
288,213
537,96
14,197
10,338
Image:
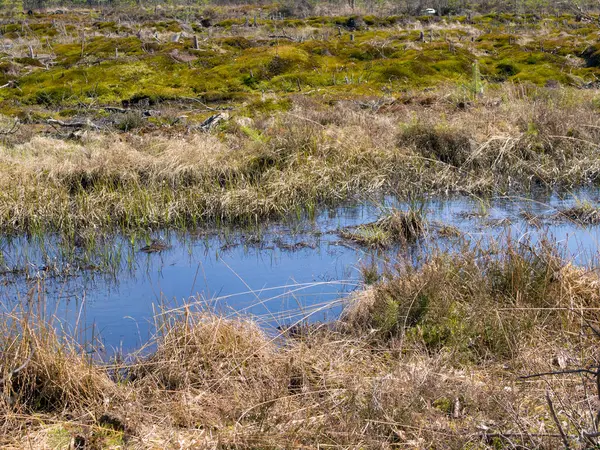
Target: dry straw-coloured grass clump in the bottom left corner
x,y
44,375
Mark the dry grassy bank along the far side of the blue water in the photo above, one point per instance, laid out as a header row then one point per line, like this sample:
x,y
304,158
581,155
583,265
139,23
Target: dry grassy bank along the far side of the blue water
x,y
289,163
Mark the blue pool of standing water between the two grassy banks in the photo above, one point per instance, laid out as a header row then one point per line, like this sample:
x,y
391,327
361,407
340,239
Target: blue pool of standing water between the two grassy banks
x,y
281,275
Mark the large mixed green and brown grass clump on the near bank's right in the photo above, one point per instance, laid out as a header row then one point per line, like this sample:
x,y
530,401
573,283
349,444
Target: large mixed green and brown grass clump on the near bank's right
x,y
479,305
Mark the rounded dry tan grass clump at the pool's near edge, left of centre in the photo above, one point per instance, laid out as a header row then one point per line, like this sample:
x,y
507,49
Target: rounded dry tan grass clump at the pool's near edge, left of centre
x,y
220,366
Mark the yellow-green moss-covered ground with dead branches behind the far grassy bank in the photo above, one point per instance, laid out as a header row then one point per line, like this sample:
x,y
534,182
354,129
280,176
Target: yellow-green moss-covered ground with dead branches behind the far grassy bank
x,y
81,60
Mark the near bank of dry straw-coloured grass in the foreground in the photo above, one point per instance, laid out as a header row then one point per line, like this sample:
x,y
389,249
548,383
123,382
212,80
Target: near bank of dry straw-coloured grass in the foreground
x,y
429,356
